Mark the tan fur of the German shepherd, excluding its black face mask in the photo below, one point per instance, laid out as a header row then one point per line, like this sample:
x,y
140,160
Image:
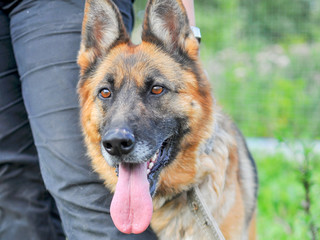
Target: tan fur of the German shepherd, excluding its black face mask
x,y
211,155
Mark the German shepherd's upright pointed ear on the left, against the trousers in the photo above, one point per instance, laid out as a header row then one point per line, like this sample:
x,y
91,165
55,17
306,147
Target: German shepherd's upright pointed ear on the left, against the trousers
x,y
102,28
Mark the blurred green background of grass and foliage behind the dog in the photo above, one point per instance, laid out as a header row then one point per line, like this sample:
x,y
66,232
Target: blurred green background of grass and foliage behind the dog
x,y
263,59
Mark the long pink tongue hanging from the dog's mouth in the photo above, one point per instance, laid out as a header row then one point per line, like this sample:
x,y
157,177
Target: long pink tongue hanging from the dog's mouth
x,y
131,207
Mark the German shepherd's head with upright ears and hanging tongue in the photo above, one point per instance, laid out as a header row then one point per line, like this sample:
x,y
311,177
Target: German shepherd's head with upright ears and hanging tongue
x,y
145,109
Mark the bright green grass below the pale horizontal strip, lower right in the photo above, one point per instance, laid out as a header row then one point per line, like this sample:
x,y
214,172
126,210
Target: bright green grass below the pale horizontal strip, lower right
x,y
281,200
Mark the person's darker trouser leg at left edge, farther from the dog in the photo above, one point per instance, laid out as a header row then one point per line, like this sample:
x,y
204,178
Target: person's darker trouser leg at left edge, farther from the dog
x,y
27,211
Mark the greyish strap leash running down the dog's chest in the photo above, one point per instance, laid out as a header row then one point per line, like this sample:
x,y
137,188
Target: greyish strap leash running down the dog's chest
x,y
203,215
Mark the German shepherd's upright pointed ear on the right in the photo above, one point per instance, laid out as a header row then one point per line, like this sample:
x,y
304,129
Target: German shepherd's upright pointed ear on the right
x,y
166,23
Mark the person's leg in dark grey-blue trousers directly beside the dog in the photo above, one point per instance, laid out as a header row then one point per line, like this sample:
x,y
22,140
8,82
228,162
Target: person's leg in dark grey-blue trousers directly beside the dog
x,y
46,39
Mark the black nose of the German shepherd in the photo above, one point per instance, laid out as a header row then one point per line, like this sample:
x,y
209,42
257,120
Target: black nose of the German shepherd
x,y
118,141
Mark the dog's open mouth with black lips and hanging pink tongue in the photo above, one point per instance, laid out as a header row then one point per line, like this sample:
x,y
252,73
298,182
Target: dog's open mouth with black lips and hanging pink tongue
x,y
131,207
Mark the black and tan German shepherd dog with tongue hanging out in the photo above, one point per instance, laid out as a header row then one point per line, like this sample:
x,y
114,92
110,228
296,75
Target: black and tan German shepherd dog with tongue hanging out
x,y
153,130
